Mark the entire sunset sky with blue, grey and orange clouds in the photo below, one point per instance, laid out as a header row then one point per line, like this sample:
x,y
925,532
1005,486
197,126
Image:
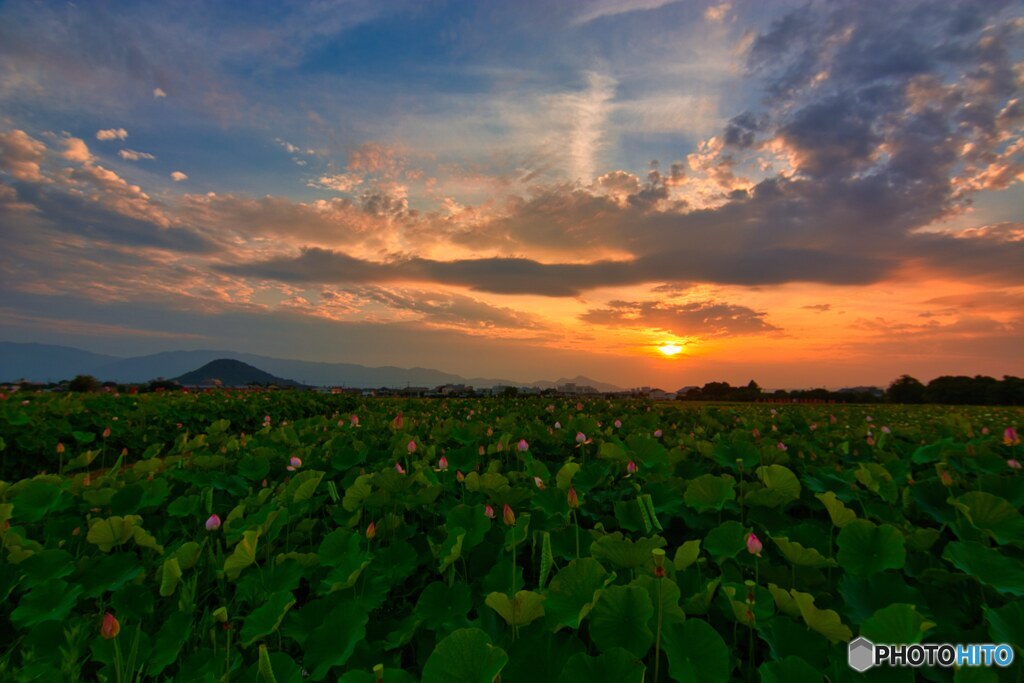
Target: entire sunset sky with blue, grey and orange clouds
x,y
645,192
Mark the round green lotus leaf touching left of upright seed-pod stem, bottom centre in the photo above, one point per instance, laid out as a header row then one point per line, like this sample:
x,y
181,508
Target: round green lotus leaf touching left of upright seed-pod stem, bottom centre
x,y
621,619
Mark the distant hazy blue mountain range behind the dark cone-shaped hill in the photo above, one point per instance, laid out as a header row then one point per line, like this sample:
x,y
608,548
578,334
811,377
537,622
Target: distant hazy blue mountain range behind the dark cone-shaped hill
x,y
46,363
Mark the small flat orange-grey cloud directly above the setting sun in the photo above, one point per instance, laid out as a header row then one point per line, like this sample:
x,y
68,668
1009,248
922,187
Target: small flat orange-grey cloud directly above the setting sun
x,y
703,319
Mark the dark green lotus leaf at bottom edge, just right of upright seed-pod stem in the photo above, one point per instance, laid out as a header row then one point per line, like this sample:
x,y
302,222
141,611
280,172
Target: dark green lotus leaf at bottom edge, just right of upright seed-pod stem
x,y
696,653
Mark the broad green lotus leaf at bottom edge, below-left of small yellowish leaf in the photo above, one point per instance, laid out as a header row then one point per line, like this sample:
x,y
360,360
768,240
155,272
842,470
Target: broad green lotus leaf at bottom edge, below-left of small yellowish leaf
x,y
465,657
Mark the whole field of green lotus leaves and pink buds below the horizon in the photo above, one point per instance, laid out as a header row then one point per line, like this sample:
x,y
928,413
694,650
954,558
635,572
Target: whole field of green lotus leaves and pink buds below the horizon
x,y
290,536
